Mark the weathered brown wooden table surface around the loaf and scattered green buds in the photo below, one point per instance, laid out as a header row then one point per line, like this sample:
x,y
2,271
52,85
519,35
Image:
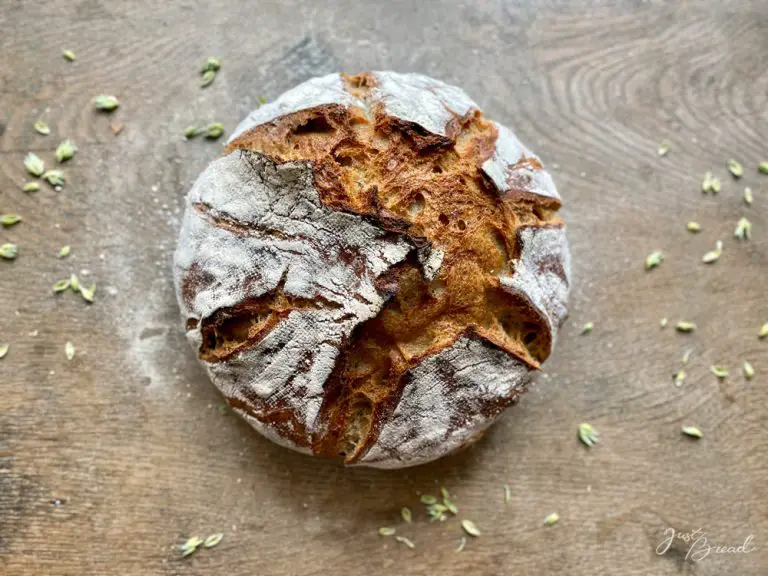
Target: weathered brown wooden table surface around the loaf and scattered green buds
x,y
108,462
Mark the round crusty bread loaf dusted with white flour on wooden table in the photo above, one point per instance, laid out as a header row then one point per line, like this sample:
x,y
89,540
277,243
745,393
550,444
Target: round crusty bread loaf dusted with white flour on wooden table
x,y
373,270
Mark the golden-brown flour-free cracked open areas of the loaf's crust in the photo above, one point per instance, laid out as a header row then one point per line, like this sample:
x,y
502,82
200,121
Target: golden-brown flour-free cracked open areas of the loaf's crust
x,y
410,182
